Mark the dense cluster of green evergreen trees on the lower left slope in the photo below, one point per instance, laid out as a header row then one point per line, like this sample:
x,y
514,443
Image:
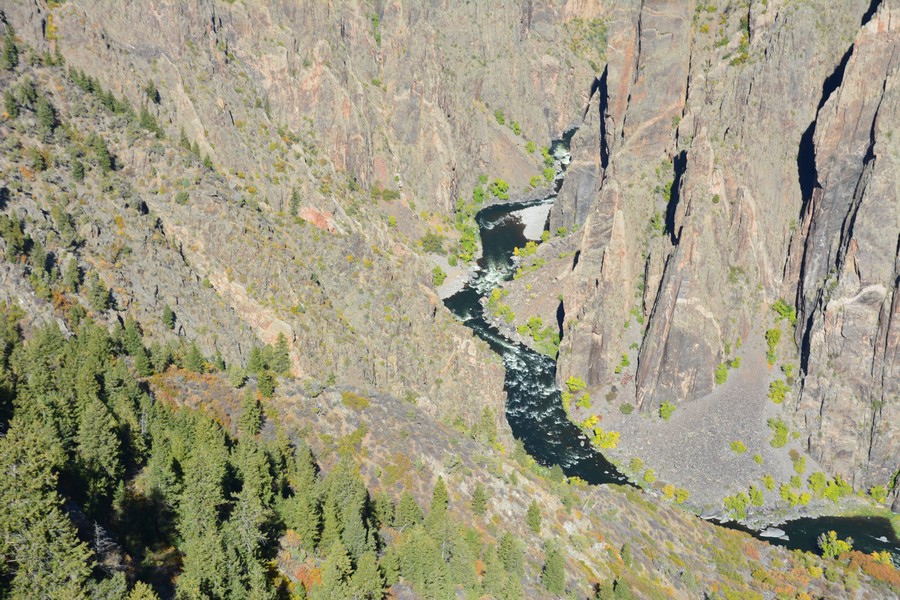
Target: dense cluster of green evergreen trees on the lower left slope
x,y
96,470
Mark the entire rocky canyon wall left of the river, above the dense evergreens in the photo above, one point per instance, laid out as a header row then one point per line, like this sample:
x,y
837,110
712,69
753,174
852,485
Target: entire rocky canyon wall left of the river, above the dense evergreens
x,y
341,113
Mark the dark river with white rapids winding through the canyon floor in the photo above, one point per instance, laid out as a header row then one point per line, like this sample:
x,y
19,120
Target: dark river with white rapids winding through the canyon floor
x,y
534,405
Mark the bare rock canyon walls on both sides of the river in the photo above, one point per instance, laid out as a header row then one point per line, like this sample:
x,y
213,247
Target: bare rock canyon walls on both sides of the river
x,y
727,157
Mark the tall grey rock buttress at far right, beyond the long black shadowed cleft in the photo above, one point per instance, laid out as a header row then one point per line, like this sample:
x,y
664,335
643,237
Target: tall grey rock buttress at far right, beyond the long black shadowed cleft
x,y
845,264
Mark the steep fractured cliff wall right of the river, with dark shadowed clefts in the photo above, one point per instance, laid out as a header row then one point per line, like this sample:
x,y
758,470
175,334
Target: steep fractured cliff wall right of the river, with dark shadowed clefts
x,y
727,160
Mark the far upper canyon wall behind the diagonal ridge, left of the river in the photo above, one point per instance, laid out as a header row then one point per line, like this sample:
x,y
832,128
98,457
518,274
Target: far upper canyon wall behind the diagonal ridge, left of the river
x,y
391,92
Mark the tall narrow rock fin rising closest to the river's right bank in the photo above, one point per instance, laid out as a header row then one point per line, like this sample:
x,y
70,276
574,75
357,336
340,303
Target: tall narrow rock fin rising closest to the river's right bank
x,y
645,85
